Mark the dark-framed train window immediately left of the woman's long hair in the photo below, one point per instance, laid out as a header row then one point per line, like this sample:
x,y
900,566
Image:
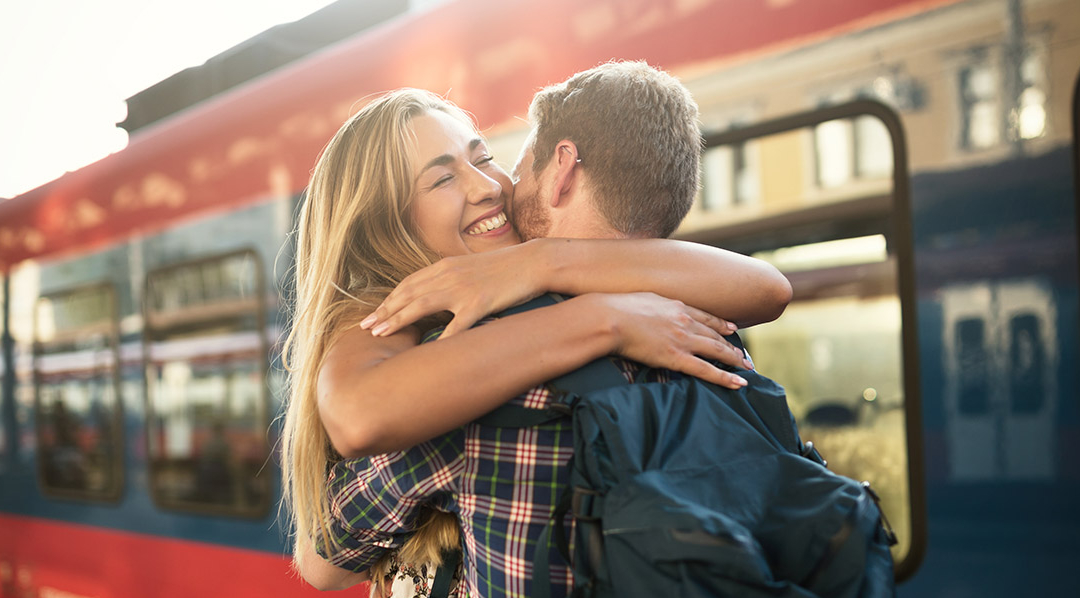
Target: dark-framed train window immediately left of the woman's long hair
x,y
206,361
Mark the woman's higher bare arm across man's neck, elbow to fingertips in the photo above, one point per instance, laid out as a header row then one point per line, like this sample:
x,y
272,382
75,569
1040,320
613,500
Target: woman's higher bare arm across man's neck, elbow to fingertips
x,y
739,289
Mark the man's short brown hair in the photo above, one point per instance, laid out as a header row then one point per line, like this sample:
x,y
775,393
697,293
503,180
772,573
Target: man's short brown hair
x,y
639,139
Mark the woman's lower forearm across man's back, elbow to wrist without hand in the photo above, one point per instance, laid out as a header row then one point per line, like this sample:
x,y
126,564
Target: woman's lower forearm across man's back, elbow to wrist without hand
x,y
383,395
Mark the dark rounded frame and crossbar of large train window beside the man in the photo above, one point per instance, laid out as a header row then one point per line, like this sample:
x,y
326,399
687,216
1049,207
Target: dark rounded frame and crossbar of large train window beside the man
x,y
889,213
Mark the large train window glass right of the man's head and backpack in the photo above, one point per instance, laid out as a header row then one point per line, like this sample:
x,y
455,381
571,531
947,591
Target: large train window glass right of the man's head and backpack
x,y
840,348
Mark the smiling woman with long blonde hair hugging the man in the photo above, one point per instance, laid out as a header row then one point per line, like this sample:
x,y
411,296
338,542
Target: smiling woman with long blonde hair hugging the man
x,y
406,183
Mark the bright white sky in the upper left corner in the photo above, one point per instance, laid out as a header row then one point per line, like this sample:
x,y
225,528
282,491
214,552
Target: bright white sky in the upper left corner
x,y
66,67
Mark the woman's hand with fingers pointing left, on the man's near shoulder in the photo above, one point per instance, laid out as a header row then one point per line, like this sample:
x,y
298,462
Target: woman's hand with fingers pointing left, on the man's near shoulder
x,y
471,288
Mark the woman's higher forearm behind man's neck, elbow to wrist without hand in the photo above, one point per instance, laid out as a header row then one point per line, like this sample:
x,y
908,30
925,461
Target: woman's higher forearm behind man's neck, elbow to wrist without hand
x,y
730,286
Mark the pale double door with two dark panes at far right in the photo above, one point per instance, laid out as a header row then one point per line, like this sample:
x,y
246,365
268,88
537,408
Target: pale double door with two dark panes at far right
x,y
1001,356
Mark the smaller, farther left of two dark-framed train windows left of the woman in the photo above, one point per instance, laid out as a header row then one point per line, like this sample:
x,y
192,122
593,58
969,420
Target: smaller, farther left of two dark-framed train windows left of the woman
x,y
76,373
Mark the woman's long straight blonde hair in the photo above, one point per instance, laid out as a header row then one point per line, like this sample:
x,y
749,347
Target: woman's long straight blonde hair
x,y
355,242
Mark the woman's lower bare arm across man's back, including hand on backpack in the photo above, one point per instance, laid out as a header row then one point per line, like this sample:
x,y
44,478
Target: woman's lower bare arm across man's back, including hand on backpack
x,y
384,393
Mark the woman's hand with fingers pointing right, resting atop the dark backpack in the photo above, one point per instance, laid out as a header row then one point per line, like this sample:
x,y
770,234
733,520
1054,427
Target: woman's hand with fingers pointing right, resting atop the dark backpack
x,y
669,334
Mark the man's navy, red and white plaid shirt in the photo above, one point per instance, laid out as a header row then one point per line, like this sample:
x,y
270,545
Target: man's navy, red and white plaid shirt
x,y
502,483
